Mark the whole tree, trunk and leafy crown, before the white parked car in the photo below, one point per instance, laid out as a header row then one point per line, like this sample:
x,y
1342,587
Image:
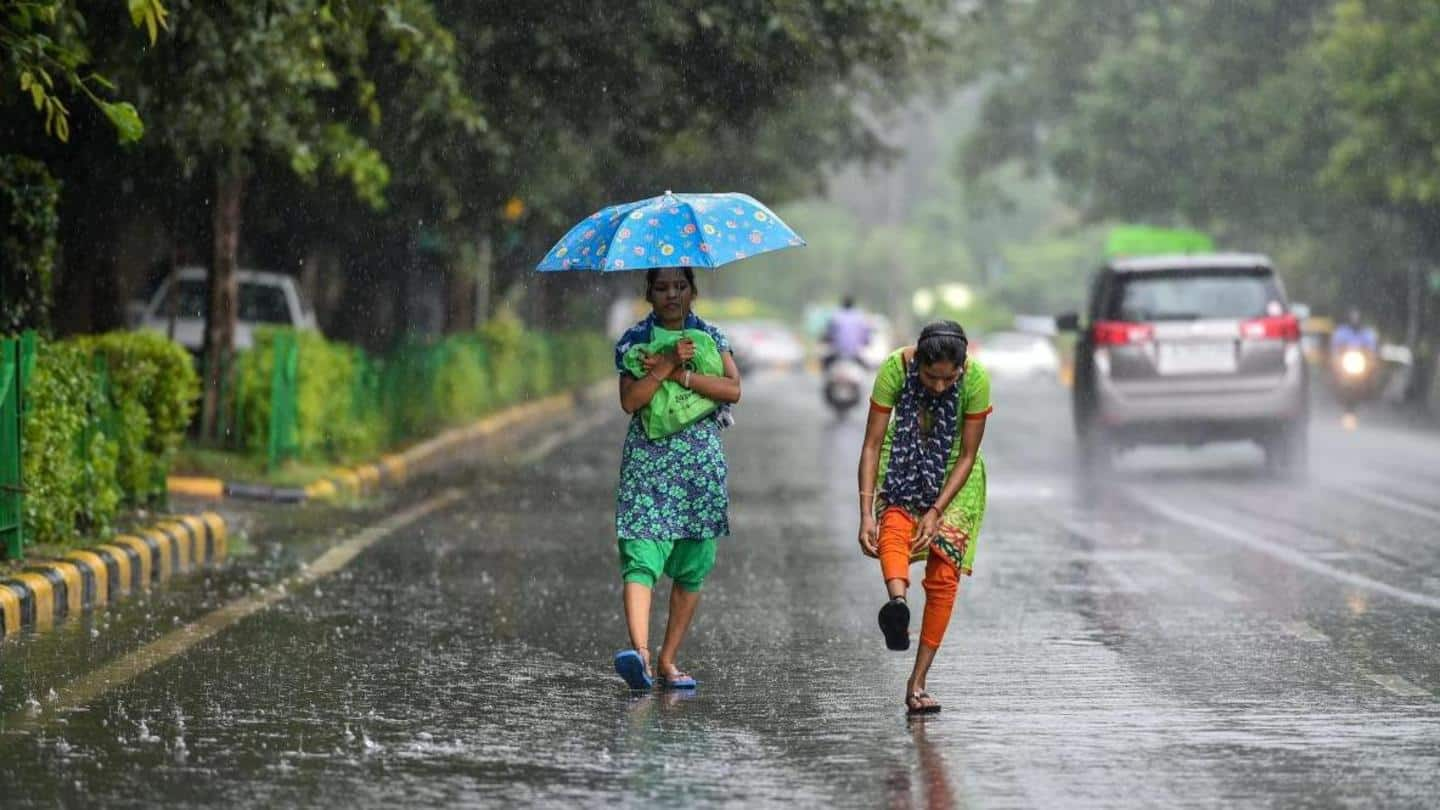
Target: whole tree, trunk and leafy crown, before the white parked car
x,y
257,80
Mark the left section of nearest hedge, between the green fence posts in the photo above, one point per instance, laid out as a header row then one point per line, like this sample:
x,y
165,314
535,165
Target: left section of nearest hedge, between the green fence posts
x,y
70,468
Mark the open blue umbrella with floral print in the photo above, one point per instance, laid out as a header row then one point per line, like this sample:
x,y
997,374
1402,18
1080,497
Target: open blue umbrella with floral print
x,y
672,231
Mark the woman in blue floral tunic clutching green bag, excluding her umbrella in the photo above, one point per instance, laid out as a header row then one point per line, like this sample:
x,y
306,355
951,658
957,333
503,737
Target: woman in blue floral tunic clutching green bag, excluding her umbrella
x,y
673,498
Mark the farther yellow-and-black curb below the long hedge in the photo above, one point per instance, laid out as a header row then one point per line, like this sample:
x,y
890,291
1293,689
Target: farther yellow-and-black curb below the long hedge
x,y
390,471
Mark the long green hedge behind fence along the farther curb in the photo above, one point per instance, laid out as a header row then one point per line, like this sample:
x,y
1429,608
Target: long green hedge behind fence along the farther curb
x,y
351,407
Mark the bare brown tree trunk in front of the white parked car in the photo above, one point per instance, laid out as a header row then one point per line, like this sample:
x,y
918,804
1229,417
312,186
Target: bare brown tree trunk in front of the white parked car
x,y
221,301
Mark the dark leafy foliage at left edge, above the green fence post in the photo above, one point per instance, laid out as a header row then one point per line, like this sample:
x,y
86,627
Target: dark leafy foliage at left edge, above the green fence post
x,y
30,227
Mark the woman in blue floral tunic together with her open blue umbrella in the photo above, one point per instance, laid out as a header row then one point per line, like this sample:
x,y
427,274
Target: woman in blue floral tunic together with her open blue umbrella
x,y
673,501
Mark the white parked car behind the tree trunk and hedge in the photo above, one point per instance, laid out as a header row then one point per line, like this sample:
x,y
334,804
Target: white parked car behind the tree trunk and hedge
x,y
264,299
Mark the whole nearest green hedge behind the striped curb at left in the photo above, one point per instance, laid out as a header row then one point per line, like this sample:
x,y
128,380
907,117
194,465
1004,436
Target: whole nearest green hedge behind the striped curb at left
x,y
102,435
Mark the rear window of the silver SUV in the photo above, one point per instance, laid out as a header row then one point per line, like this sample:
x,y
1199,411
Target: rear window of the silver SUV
x,y
1194,296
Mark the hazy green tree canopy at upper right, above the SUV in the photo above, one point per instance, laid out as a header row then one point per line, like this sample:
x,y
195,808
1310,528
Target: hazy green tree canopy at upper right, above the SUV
x,y
1302,129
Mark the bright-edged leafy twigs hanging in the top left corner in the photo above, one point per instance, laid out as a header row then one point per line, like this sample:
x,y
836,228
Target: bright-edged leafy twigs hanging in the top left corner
x,y
45,51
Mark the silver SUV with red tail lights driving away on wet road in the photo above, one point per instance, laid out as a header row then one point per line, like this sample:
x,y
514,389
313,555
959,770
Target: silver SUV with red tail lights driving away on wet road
x,y
1190,350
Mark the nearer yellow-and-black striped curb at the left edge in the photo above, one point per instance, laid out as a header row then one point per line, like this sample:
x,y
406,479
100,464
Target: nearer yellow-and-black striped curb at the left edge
x,y
54,590
